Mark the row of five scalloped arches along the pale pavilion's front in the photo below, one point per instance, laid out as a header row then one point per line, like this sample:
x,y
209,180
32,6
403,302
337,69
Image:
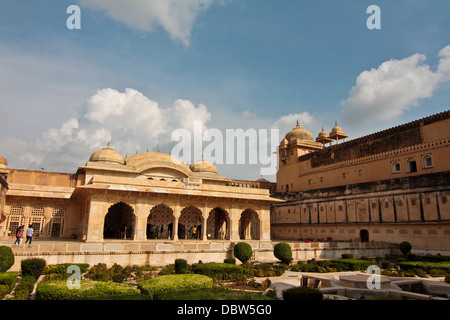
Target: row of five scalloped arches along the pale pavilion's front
x,y
162,221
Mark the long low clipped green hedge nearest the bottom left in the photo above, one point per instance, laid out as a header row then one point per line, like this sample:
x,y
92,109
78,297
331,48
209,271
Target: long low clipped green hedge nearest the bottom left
x,y
58,290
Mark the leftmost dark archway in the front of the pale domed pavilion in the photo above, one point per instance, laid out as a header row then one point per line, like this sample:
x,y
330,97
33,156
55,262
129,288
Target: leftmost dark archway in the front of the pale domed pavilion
x,y
119,222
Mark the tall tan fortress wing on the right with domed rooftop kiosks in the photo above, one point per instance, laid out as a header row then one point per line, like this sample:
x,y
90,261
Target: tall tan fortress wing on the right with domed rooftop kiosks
x,y
392,185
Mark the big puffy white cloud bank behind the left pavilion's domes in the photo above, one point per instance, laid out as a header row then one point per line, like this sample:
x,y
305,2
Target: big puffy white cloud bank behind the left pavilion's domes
x,y
128,120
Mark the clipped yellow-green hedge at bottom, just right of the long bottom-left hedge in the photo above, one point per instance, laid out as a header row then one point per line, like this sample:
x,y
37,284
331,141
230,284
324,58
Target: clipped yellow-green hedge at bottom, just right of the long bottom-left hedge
x,y
155,287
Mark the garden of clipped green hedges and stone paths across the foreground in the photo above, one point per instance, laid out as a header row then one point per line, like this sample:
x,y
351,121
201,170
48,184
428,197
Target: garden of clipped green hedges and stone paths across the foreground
x,y
392,277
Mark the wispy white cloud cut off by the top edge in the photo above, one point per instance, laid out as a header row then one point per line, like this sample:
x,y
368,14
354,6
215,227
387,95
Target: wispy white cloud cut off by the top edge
x,y
175,16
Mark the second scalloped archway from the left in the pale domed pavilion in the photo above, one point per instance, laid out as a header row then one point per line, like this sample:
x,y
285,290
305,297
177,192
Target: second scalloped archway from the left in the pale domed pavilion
x,y
160,222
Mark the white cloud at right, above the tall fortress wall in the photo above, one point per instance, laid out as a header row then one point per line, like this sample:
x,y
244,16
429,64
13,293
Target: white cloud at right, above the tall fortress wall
x,y
394,87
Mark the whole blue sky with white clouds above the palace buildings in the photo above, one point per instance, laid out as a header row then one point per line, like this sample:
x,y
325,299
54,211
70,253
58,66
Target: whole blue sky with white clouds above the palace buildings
x,y
230,63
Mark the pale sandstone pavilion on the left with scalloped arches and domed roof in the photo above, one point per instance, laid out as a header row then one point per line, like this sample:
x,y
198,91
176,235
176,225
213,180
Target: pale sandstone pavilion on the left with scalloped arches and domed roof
x,y
144,197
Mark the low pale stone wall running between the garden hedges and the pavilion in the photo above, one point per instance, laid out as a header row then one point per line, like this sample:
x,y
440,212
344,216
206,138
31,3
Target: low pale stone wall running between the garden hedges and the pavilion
x,y
160,253
